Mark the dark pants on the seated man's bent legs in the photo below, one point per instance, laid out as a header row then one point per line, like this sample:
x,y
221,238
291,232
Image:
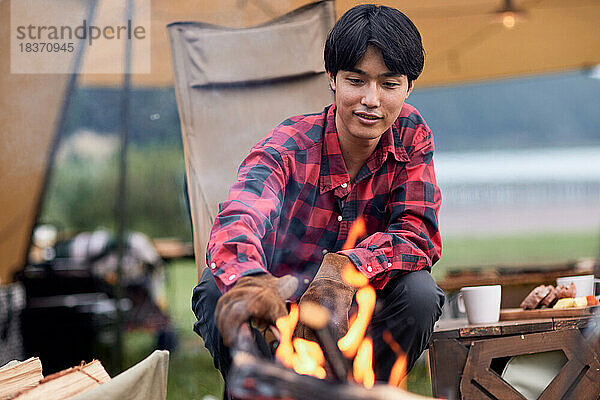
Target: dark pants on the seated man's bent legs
x,y
407,307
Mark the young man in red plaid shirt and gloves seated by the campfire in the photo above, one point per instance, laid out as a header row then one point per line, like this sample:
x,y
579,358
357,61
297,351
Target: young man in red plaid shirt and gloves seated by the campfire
x,y
300,189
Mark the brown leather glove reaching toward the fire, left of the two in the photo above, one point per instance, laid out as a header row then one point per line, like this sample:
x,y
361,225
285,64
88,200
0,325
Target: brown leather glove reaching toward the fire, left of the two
x,y
261,297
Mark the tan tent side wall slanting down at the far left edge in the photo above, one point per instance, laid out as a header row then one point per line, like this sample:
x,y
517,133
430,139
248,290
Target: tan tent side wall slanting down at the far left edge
x,y
30,106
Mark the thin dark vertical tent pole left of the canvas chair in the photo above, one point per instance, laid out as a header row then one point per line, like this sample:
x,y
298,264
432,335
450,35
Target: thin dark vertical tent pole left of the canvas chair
x,y
121,206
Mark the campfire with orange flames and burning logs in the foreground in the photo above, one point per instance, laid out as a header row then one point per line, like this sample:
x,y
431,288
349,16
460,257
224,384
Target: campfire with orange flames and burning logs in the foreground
x,y
320,370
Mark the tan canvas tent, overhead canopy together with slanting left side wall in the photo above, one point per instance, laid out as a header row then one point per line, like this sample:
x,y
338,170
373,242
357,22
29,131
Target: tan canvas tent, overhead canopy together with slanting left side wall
x,y
462,40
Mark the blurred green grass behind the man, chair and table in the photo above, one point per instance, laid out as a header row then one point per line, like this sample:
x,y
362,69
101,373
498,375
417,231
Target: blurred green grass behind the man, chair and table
x,y
191,372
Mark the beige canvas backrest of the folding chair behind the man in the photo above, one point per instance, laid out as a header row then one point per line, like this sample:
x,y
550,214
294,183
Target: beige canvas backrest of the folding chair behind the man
x,y
232,99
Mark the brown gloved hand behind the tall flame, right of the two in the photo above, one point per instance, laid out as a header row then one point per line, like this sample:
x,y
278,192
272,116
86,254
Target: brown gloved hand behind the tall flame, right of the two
x,y
329,290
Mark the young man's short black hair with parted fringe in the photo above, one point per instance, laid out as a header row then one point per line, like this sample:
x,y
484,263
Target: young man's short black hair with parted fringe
x,y
384,27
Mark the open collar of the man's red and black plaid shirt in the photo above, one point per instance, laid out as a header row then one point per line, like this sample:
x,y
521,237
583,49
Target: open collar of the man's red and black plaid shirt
x,y
333,168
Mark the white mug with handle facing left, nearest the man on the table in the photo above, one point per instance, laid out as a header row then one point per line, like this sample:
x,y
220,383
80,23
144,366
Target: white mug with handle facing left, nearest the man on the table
x,y
482,303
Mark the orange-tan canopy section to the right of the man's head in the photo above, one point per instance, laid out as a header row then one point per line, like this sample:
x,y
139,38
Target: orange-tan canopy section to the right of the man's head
x,y
466,41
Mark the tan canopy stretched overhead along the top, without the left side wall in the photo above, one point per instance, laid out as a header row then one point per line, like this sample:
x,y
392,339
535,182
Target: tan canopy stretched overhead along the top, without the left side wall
x,y
464,39
